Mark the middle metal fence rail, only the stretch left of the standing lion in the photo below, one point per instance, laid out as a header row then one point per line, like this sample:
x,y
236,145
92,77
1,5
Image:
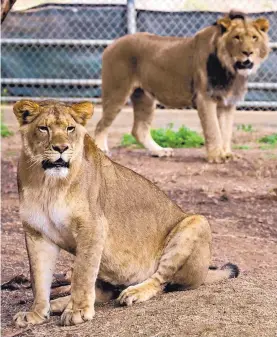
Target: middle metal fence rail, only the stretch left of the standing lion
x,y
51,81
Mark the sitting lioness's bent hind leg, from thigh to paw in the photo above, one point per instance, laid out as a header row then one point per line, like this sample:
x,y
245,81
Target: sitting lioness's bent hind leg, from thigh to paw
x,y
185,260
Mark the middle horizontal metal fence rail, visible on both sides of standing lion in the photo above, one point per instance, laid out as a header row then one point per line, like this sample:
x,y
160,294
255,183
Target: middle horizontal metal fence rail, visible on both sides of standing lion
x,y
98,82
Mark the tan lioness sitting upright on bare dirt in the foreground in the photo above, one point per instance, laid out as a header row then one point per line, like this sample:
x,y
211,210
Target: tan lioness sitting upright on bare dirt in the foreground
x,y
122,229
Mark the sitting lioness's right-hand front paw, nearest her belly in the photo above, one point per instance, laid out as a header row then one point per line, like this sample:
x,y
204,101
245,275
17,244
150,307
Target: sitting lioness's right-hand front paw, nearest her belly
x,y
77,316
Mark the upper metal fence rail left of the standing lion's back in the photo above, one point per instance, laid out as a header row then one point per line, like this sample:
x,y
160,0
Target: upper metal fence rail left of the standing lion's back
x,y
57,42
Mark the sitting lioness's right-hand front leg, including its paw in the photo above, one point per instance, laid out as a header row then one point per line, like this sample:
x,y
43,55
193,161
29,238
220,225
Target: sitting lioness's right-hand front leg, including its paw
x,y
86,266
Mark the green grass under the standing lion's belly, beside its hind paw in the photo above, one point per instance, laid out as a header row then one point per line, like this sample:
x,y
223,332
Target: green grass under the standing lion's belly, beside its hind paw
x,y
167,137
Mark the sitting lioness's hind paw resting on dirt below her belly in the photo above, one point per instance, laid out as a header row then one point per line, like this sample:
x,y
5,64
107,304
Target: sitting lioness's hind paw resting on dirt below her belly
x,y
137,294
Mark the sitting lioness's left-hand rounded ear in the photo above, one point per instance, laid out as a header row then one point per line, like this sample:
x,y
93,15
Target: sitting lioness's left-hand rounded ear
x,y
25,111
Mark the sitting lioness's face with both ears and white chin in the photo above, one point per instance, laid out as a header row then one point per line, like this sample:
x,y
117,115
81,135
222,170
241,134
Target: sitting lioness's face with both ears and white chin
x,y
52,133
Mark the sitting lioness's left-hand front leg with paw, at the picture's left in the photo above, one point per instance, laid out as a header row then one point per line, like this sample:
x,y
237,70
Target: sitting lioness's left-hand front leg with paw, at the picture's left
x,y
42,257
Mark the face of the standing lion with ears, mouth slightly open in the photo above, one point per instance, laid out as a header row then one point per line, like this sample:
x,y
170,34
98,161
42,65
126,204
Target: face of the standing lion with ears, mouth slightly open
x,y
243,45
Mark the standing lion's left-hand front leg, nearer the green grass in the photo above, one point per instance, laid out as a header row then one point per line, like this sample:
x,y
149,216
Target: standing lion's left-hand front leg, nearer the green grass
x,y
207,111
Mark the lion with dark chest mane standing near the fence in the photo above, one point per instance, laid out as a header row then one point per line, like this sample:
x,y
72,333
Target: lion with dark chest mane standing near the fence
x,y
209,71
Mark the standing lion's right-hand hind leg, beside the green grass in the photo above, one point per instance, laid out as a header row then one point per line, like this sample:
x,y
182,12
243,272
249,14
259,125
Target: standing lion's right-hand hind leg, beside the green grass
x,y
144,105
